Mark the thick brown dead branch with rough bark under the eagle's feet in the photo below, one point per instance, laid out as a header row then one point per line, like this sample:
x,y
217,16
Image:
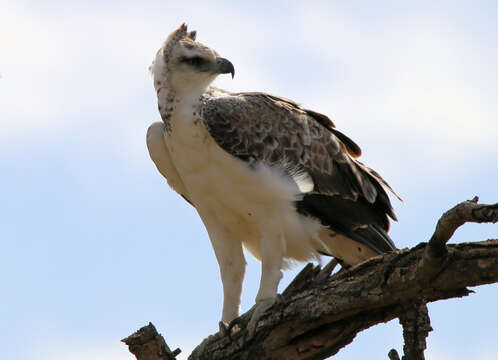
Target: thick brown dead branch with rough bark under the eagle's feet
x,y
319,314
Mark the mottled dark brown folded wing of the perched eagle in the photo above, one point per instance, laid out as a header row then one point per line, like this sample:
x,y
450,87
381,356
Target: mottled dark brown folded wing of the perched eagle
x,y
261,128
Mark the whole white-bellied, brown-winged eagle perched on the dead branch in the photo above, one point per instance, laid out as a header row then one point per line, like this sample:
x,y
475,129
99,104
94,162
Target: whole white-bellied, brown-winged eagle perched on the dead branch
x,y
262,172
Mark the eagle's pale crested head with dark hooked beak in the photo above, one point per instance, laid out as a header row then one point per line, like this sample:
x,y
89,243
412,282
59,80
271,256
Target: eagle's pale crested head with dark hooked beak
x,y
185,66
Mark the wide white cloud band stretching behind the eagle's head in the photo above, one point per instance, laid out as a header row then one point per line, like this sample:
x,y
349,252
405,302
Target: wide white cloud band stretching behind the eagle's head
x,y
413,86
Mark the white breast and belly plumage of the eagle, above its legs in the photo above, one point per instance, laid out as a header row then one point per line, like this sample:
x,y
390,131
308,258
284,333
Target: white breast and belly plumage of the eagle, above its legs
x,y
238,198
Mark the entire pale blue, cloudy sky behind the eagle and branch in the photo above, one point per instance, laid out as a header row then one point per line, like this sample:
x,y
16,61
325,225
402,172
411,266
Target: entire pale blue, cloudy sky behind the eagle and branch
x,y
95,245
